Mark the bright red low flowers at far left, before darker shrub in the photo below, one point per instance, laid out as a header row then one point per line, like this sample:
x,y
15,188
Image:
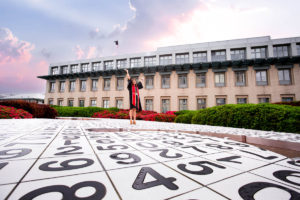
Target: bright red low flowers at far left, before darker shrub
x,y
13,113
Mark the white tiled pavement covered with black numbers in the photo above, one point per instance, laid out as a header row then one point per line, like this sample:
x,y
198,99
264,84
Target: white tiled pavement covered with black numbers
x,y
55,159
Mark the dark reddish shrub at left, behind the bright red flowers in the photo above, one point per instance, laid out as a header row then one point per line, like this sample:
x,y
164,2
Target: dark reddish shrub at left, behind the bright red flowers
x,y
37,110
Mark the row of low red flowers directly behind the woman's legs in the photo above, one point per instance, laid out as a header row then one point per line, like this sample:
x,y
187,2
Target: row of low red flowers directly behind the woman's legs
x,y
143,115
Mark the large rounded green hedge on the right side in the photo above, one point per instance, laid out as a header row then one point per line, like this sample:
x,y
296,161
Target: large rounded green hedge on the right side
x,y
252,116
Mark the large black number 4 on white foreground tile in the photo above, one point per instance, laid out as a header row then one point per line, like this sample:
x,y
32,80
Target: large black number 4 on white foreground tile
x,y
160,180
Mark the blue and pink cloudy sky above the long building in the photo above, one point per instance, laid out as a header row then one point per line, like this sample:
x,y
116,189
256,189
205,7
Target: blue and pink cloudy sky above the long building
x,y
34,33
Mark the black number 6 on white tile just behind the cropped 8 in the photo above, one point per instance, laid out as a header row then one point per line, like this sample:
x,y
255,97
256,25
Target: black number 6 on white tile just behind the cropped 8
x,y
66,165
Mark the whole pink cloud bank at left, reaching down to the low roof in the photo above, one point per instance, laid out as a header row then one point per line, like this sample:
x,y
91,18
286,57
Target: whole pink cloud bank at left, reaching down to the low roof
x,y
19,70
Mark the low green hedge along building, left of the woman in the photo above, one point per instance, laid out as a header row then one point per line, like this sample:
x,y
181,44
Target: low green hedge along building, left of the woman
x,y
65,111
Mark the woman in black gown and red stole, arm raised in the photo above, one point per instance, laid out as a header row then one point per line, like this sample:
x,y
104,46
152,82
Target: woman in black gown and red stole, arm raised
x,y
134,96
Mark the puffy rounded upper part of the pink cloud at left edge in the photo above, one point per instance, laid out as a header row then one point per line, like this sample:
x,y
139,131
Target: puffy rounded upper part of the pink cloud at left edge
x,y
13,50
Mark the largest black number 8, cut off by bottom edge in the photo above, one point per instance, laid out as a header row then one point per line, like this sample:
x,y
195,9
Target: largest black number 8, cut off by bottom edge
x,y
69,192
